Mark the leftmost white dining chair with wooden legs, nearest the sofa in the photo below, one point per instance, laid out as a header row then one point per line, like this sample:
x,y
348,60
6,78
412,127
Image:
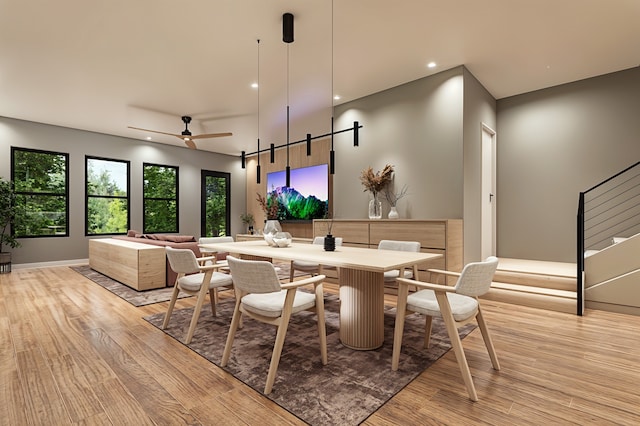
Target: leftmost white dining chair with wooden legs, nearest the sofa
x,y
195,278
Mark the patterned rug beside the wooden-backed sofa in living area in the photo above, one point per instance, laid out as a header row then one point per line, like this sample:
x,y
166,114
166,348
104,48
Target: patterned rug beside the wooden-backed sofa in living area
x,y
148,297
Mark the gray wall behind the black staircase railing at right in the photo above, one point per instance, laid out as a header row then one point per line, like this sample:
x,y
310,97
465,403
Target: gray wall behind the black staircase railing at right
x,y
553,144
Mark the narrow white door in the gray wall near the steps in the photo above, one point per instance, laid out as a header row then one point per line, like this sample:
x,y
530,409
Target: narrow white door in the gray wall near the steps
x,y
488,191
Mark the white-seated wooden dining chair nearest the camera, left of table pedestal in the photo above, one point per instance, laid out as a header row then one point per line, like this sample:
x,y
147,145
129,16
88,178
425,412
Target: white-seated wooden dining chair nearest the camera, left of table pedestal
x,y
261,296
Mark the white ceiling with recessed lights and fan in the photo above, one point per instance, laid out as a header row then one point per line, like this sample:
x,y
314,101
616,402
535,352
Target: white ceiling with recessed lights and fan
x,y
105,65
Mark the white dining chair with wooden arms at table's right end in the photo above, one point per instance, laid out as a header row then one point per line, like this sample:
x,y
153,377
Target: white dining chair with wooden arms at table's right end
x,y
457,305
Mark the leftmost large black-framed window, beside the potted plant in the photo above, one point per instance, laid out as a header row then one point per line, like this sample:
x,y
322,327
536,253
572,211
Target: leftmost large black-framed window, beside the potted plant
x,y
41,184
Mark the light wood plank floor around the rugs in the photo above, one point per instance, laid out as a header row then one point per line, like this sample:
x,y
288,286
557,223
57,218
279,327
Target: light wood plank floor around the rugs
x,y
73,353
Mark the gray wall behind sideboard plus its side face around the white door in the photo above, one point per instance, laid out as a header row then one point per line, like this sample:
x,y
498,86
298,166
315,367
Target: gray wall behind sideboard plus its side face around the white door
x,y
430,131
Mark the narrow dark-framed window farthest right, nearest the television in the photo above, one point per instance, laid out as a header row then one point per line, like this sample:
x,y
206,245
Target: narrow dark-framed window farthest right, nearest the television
x,y
216,200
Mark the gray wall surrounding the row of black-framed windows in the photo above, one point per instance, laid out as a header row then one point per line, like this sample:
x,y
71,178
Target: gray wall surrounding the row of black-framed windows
x,y
77,144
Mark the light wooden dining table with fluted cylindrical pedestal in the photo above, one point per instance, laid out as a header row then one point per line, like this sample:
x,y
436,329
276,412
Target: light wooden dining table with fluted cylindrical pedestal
x,y
361,280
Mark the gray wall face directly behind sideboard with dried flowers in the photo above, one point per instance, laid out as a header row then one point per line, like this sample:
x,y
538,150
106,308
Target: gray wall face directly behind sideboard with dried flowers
x,y
417,128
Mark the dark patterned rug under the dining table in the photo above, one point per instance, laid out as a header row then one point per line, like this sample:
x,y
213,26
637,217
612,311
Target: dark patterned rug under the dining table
x,y
346,391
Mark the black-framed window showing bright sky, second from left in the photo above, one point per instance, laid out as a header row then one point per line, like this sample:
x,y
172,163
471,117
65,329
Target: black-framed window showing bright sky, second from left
x,y
107,193
